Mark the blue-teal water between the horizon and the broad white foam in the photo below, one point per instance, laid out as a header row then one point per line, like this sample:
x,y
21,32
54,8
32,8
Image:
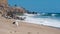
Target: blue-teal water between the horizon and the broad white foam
x,y
55,16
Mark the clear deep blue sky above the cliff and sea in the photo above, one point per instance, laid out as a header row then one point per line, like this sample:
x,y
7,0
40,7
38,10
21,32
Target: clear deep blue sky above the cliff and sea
x,y
50,6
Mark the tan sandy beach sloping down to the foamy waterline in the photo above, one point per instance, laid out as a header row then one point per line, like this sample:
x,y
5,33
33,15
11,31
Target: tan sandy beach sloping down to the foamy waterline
x,y
6,27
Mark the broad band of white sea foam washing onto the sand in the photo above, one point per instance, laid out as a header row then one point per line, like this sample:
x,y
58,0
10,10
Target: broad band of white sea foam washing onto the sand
x,y
43,21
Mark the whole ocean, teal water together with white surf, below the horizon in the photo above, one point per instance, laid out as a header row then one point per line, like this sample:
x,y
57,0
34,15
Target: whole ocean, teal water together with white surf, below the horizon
x,y
52,19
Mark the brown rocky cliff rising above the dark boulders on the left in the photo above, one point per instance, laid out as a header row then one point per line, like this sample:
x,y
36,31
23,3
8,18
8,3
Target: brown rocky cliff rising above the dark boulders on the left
x,y
5,9
